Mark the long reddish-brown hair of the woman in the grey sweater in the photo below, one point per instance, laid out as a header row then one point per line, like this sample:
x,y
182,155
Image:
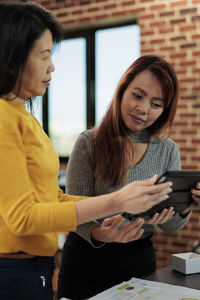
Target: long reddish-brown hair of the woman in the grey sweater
x,y
111,138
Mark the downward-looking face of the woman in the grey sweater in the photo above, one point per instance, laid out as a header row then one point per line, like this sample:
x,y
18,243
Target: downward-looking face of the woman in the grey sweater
x,y
142,102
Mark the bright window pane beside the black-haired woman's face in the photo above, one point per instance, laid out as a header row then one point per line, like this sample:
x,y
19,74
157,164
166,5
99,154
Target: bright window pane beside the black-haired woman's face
x,y
67,95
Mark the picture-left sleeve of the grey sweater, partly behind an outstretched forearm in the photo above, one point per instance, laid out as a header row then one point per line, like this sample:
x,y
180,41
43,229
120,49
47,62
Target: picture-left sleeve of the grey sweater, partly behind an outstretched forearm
x,y
80,180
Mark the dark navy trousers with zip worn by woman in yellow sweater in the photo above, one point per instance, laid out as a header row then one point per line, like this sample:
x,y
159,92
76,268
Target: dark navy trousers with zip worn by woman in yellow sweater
x,y
26,279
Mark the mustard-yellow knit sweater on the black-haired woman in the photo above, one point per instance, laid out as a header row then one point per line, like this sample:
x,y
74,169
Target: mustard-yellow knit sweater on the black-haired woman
x,y
32,207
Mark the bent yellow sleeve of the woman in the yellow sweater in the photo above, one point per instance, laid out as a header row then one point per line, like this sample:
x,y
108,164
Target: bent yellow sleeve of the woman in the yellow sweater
x,y
21,210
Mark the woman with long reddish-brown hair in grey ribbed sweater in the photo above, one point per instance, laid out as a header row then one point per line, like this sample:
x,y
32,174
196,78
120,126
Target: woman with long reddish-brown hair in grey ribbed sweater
x,y
127,146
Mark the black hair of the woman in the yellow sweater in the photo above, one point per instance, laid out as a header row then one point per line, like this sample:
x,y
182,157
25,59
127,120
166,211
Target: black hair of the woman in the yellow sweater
x,y
22,24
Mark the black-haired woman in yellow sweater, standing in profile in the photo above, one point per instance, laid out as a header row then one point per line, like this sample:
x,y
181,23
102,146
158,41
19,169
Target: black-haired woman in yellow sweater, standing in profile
x,y
32,207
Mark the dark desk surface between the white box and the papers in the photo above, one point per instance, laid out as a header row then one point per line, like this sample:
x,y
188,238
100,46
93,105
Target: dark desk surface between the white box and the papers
x,y
167,275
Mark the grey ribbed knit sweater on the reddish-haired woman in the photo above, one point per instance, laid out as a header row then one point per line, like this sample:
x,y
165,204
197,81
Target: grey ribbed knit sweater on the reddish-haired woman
x,y
161,155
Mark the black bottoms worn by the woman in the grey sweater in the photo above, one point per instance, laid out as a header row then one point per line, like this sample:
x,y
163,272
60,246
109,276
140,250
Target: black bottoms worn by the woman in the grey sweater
x,y
86,271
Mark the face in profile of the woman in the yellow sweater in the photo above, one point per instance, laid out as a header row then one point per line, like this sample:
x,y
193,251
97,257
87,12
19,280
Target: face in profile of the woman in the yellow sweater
x,y
37,72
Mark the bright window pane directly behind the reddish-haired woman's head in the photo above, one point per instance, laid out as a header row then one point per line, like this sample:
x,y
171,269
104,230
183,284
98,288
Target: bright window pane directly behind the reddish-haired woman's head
x,y
116,49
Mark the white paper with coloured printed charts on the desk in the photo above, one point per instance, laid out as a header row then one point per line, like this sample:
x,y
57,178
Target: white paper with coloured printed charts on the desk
x,y
139,289
